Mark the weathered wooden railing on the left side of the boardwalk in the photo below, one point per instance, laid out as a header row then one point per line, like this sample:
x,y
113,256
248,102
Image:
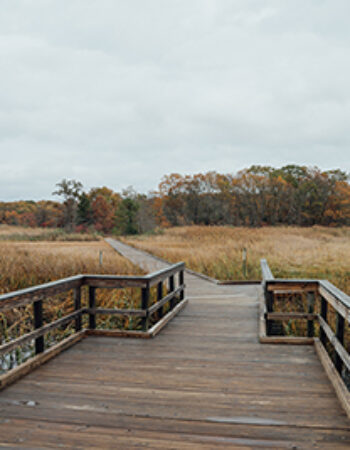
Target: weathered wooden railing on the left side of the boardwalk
x,y
154,311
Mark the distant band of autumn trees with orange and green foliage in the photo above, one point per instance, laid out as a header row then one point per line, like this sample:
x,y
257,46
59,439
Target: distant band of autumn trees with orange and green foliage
x,y
258,196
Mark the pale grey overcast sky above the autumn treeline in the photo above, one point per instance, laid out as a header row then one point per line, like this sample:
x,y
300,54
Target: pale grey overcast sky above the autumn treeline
x,y
119,93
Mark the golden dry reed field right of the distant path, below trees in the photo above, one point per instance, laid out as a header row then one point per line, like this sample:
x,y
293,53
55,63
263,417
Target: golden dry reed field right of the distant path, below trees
x,y
291,252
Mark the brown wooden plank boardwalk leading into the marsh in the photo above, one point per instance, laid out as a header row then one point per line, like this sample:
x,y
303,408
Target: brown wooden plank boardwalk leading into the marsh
x,y
203,382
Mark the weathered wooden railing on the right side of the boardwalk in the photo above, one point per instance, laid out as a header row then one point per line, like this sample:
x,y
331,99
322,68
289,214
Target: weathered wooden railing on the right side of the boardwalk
x,y
325,311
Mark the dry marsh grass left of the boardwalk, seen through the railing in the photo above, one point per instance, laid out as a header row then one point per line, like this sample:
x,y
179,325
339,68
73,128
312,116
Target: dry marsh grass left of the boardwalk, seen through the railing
x,y
28,263
